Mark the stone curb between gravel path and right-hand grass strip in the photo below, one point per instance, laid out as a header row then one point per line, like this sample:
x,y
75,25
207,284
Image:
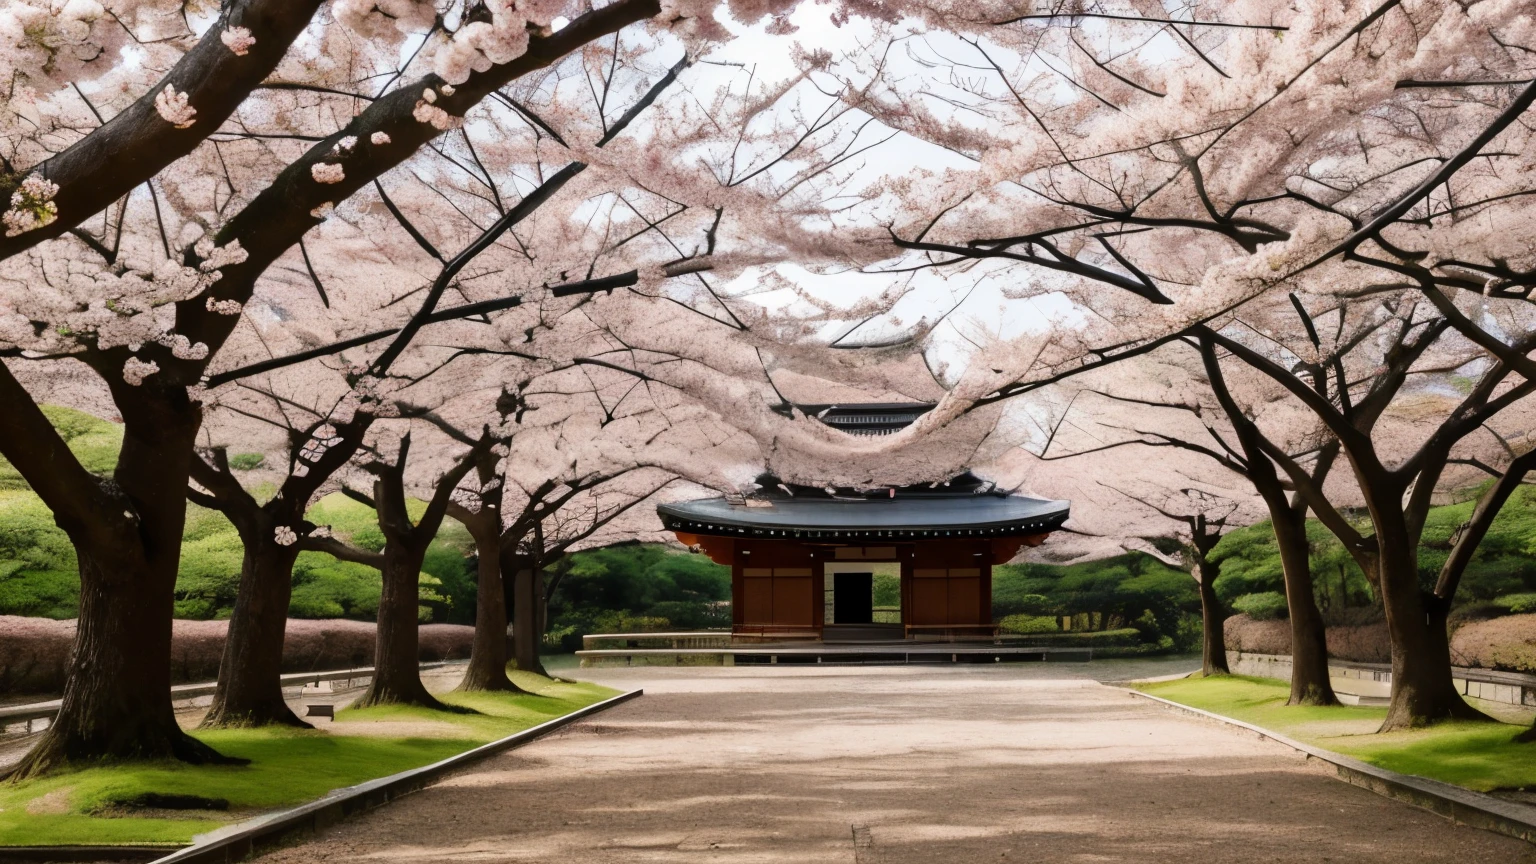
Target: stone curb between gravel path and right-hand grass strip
x,y
1462,806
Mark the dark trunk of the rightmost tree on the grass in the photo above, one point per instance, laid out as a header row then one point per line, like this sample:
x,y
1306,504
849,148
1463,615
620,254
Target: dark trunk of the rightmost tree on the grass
x,y
1423,691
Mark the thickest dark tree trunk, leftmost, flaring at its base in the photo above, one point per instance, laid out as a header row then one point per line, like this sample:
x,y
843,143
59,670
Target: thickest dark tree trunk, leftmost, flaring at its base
x,y
118,697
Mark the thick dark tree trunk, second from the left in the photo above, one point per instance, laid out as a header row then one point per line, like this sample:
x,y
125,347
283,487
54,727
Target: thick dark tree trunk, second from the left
x,y
251,673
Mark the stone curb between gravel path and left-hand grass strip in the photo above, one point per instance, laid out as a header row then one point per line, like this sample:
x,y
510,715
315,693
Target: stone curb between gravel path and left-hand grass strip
x,y
243,840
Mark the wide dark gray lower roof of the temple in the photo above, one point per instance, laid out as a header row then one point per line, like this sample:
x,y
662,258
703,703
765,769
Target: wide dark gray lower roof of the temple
x,y
890,519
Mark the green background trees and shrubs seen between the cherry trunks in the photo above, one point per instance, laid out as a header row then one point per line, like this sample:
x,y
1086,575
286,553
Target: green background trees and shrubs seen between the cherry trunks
x,y
1130,602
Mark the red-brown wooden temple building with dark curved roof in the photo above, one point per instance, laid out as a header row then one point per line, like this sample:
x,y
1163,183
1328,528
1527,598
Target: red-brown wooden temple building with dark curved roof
x,y
839,565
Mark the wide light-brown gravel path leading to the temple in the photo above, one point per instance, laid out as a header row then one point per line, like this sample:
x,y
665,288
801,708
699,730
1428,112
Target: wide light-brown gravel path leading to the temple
x,y
893,766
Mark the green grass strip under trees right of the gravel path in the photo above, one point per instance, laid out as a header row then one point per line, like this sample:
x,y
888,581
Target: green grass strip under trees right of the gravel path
x,y
1477,756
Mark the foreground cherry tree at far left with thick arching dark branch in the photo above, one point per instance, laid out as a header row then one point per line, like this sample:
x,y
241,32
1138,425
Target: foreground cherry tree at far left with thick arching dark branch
x,y
148,319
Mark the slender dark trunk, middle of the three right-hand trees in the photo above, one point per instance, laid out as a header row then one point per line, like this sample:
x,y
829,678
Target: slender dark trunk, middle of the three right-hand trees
x,y
1309,645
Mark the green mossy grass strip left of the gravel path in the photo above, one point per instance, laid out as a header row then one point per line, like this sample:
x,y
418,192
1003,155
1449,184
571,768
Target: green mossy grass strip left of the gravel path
x,y
286,768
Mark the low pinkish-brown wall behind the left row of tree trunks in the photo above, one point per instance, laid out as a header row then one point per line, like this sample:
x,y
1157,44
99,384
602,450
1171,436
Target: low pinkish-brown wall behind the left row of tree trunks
x,y
35,653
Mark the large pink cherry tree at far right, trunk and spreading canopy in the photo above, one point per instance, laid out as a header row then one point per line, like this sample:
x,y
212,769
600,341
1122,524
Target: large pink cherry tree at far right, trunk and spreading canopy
x,y
1182,176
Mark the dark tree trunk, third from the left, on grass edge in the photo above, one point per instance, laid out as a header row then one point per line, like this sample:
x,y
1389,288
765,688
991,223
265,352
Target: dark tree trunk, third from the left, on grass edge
x,y
397,673
